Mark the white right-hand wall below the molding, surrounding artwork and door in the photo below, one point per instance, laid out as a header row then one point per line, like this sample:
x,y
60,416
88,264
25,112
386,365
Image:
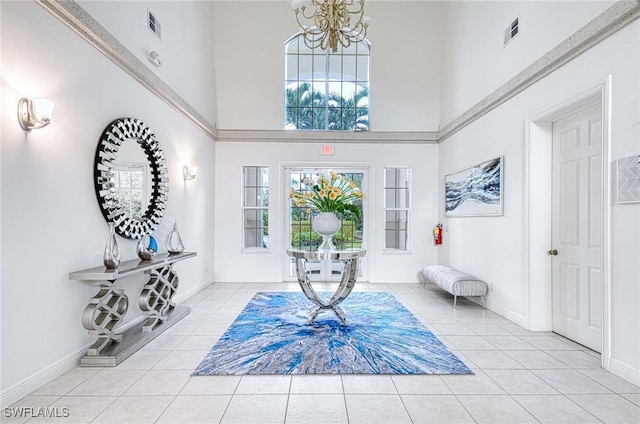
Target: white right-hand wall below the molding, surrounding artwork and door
x,y
493,248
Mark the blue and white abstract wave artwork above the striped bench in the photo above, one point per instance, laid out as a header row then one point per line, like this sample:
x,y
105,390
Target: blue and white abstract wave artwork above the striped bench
x,y
475,191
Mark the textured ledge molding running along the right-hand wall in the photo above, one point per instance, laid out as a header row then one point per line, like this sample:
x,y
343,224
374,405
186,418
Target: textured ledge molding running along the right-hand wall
x,y
602,26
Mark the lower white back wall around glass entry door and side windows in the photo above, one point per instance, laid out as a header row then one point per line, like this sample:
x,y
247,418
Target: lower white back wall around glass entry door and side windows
x,y
232,265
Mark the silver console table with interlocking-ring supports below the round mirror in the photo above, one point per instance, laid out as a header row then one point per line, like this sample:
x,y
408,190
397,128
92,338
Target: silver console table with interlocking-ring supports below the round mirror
x,y
107,308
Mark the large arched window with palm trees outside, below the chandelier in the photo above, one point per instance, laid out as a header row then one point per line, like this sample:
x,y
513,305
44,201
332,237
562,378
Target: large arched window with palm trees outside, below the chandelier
x,y
325,90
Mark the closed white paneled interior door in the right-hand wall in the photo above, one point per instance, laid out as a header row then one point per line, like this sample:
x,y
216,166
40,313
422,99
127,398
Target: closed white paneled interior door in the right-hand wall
x,y
576,227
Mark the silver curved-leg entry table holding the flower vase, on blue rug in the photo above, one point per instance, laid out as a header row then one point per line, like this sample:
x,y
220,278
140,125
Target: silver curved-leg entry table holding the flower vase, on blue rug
x,y
350,260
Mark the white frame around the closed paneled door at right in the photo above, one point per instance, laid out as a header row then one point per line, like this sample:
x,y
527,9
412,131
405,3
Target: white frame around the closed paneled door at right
x,y
537,222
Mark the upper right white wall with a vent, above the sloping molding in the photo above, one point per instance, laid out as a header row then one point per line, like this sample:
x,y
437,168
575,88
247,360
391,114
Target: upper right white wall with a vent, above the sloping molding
x,y
474,61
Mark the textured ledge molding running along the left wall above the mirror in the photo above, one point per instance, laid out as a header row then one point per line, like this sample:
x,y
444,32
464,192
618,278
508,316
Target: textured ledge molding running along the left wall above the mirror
x,y
76,18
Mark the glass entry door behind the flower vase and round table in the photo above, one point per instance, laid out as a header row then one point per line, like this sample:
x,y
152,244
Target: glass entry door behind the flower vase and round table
x,y
300,234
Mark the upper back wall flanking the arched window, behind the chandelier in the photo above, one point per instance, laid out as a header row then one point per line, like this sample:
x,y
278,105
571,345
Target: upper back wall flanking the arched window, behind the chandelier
x,y
405,72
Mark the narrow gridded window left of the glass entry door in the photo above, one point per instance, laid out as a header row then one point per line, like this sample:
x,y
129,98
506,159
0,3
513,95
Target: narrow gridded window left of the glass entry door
x,y
255,207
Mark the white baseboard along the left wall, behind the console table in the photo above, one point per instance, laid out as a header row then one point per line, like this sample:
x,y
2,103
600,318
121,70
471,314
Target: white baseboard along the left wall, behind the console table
x,y
45,376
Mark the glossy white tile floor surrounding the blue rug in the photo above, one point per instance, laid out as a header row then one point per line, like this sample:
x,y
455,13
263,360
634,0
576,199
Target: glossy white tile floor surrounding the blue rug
x,y
520,377
